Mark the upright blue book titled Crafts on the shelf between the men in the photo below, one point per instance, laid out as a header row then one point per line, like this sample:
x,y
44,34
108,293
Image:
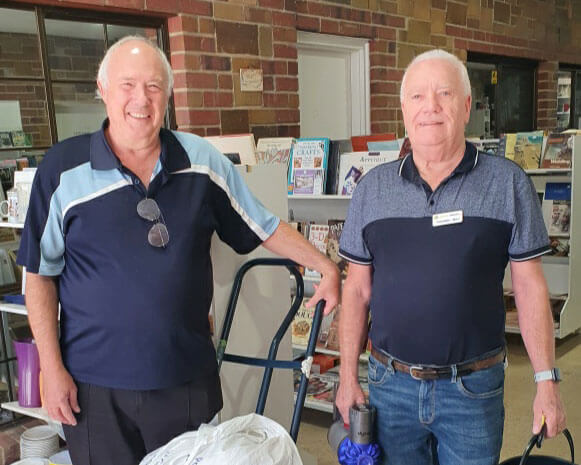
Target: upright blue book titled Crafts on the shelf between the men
x,y
308,166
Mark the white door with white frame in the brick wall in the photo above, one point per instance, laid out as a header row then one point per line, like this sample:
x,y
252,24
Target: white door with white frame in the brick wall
x,y
333,85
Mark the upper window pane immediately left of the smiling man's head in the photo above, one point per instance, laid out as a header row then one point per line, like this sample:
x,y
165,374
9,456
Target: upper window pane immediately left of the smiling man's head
x,y
75,49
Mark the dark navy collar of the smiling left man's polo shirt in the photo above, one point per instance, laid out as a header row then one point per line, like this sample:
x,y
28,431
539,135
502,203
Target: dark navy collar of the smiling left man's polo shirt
x,y
173,157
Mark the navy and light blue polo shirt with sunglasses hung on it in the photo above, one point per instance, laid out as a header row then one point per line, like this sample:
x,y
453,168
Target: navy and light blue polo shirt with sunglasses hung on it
x,y
134,316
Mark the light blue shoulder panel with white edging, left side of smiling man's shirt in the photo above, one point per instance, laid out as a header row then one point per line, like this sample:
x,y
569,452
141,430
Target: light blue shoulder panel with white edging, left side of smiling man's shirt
x,y
76,186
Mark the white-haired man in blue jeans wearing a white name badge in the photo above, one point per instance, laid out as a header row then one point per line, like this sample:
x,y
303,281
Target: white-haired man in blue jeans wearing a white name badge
x,y
429,238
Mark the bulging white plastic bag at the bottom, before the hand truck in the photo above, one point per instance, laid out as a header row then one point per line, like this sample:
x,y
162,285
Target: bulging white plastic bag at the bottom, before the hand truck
x,y
247,440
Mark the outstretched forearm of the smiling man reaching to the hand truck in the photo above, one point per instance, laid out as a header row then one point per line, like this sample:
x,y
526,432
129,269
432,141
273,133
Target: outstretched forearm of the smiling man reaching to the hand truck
x,y
288,242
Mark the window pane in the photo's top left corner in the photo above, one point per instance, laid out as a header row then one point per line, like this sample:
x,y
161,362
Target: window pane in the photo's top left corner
x,y
19,50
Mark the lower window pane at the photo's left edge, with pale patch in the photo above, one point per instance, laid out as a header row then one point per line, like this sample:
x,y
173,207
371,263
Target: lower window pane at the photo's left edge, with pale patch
x,y
23,115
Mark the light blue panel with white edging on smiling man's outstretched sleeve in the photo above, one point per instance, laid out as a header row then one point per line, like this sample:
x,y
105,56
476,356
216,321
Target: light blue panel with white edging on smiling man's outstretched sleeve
x,y
206,159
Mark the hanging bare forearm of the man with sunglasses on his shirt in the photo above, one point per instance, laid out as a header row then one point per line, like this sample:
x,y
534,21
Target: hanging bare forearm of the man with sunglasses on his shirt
x,y
42,308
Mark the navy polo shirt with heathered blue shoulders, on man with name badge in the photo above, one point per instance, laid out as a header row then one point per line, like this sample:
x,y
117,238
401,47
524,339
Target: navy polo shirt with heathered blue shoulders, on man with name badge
x,y
437,295
